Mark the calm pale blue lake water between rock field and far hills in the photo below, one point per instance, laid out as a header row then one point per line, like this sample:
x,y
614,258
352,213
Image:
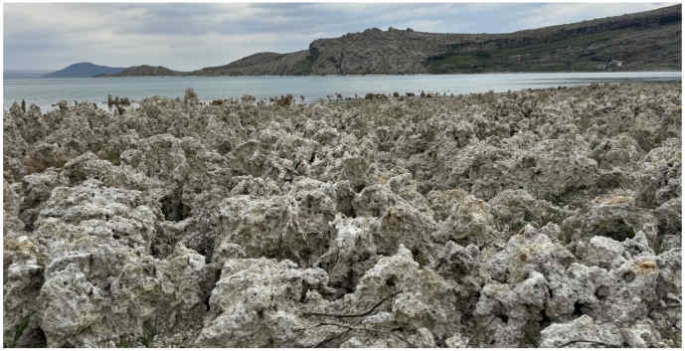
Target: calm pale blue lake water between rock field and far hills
x,y
45,92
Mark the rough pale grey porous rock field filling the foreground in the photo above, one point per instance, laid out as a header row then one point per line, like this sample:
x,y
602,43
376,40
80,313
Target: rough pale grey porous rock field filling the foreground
x,y
544,218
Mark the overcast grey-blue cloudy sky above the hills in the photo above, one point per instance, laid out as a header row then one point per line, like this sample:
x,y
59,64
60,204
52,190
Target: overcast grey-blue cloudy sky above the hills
x,y
191,36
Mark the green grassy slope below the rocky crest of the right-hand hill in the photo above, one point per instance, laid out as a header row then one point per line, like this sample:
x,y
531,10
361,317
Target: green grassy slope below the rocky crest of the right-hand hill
x,y
639,46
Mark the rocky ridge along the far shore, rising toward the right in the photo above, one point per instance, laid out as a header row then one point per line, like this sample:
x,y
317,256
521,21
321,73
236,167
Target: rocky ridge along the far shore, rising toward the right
x,y
649,40
